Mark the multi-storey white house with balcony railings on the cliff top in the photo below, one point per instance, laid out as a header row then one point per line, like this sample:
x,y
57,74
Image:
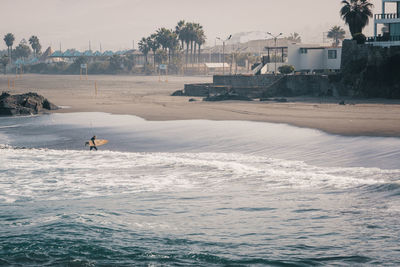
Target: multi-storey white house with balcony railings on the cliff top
x,y
389,24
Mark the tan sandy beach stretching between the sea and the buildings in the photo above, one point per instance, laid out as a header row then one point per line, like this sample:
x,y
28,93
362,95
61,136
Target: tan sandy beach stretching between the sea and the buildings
x,y
149,98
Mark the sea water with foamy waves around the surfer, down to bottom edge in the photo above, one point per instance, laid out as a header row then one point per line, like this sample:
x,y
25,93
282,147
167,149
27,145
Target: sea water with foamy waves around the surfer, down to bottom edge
x,y
203,193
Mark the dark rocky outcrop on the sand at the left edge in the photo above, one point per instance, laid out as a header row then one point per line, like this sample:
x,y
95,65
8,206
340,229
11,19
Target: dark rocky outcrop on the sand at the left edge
x,y
24,104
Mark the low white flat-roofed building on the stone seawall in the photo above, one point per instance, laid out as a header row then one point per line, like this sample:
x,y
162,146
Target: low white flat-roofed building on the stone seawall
x,y
314,58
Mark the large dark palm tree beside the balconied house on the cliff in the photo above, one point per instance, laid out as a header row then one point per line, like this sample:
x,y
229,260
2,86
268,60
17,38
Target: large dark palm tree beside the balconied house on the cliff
x,y
356,14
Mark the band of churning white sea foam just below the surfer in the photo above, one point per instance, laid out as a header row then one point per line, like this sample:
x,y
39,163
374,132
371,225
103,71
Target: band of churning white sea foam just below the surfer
x,y
44,174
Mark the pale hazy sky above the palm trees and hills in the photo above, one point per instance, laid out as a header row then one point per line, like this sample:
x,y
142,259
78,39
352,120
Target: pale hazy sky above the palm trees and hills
x,y
117,23
